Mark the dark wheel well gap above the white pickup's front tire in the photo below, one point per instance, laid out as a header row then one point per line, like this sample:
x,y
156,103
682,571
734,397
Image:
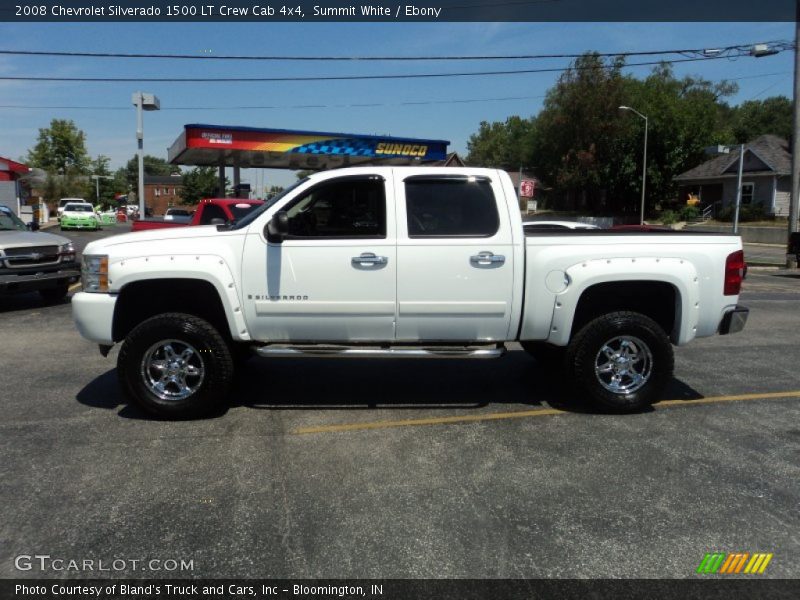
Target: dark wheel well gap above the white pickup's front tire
x,y
141,300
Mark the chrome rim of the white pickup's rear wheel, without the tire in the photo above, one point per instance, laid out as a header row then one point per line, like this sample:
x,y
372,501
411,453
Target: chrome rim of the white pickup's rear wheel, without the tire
x,y
623,365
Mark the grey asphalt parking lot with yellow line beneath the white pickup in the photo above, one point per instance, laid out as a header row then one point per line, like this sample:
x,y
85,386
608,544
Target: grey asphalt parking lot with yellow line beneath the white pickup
x,y
406,469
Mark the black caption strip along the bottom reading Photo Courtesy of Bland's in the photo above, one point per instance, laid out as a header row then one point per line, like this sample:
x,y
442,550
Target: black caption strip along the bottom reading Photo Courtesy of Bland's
x,y
706,588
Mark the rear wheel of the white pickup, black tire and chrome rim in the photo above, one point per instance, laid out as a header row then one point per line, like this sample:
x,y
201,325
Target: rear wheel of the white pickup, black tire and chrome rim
x,y
624,345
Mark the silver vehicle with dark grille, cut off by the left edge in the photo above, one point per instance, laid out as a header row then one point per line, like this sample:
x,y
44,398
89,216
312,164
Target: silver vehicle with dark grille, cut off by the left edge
x,y
33,260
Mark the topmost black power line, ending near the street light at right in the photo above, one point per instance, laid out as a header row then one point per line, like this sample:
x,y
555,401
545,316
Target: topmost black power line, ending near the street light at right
x,y
740,49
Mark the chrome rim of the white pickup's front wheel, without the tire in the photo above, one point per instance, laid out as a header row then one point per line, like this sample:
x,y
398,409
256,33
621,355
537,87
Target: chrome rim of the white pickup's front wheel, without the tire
x,y
172,370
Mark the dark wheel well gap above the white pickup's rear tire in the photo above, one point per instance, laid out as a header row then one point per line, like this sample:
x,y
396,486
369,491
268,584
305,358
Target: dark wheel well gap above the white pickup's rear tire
x,y
655,299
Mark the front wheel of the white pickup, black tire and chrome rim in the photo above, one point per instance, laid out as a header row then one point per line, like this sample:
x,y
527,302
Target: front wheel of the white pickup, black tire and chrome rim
x,y
206,373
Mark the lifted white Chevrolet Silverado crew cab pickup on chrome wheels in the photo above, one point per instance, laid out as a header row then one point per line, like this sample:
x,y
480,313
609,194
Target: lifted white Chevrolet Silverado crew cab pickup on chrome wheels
x,y
419,262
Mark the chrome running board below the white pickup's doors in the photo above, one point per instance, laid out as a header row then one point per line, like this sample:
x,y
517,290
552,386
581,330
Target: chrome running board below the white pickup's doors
x,y
319,351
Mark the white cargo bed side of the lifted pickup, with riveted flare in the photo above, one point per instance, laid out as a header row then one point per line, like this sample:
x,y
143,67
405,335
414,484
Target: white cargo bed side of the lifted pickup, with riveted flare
x,y
571,261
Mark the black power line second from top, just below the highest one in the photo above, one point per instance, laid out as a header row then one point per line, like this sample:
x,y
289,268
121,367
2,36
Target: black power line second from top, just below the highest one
x,y
345,77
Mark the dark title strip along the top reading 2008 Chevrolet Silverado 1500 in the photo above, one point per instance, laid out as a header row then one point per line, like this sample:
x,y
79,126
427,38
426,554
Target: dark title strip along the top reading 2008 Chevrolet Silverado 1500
x,y
266,11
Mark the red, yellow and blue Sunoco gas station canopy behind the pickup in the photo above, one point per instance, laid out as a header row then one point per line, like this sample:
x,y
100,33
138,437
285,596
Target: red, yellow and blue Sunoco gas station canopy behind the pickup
x,y
250,147
